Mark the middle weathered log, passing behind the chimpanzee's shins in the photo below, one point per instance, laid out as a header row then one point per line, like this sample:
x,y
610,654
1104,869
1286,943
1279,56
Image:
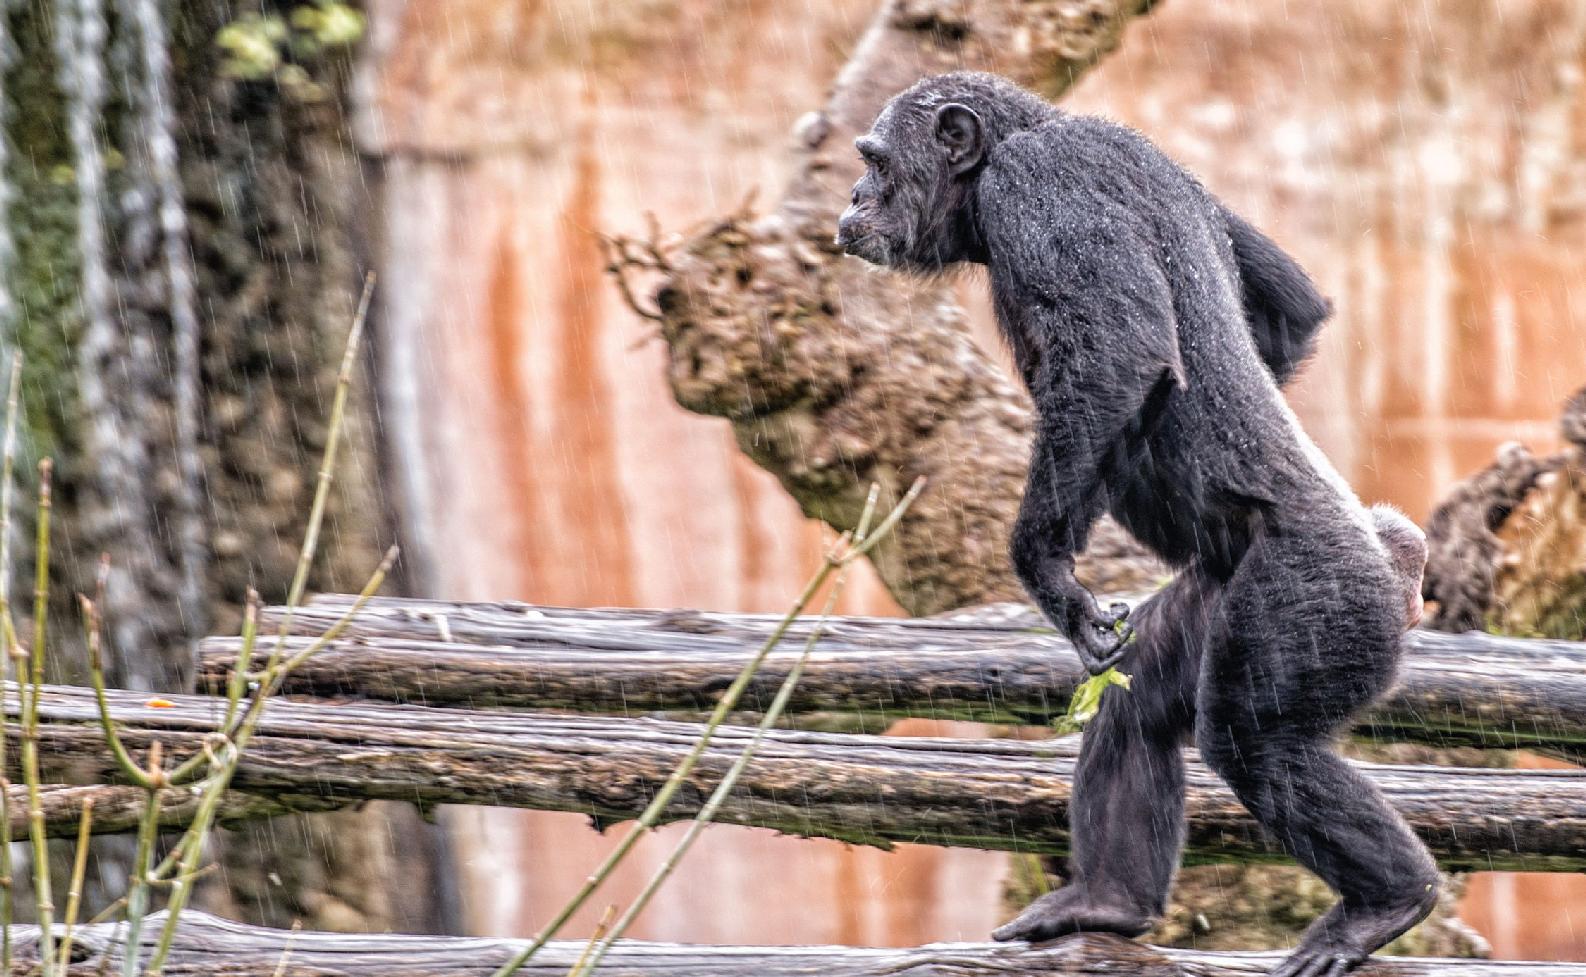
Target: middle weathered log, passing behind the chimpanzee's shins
x,y
992,794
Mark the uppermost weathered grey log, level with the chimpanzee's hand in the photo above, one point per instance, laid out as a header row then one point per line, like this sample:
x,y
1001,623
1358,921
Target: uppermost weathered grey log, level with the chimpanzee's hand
x,y
1455,689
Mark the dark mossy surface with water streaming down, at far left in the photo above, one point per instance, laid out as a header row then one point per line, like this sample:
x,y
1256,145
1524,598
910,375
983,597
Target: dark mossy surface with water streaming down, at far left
x,y
193,470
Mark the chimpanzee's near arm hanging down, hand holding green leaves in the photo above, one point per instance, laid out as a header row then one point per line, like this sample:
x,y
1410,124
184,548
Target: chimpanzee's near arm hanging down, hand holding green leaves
x,y
1098,324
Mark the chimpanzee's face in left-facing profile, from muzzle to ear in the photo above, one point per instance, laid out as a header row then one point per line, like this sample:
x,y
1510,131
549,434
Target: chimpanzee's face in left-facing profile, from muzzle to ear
x,y
906,210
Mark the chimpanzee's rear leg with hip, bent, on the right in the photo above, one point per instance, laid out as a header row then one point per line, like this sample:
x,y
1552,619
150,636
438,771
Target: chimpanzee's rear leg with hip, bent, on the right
x,y
1308,632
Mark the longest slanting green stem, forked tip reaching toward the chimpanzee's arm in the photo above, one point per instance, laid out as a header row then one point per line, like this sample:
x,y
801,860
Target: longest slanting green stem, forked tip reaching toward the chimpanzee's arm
x,y
727,703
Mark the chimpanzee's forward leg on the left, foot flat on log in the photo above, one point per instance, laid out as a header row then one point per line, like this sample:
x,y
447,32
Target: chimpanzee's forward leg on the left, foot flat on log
x,y
1127,811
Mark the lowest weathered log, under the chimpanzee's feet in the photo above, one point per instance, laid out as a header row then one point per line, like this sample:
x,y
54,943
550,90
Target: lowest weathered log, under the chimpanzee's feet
x,y
209,946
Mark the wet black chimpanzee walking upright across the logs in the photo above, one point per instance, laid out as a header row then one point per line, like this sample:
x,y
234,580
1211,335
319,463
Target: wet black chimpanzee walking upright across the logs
x,y
1152,329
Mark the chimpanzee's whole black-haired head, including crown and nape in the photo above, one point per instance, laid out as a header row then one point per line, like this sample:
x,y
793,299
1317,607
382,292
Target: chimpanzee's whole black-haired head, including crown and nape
x,y
914,207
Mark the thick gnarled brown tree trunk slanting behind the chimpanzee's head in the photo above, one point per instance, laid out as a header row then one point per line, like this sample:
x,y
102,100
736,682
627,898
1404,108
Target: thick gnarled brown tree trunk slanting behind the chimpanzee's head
x,y
837,377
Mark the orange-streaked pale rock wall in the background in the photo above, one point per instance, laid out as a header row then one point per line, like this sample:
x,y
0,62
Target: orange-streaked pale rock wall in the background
x,y
1428,164
